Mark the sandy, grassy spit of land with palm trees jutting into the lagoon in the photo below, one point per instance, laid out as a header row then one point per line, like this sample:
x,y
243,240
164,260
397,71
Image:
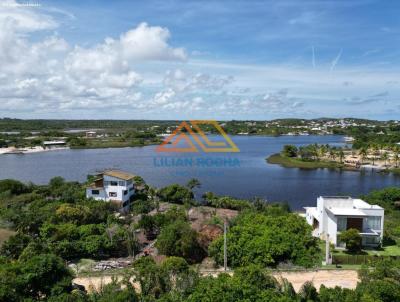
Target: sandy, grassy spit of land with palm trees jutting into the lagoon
x,y
374,157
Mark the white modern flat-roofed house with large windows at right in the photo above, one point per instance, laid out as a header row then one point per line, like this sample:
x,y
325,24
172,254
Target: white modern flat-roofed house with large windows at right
x,y
334,214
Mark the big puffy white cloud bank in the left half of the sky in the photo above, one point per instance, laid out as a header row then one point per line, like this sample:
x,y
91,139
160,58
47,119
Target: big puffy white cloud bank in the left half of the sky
x,y
51,76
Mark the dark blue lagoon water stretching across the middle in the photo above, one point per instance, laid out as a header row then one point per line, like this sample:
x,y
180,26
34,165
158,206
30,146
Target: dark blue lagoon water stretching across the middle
x,y
245,174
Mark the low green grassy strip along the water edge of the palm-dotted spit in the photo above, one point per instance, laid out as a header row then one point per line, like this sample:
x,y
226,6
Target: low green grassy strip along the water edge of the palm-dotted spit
x,y
289,162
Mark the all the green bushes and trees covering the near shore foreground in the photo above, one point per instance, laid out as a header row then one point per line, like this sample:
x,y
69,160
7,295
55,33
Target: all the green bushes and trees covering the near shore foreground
x,y
55,223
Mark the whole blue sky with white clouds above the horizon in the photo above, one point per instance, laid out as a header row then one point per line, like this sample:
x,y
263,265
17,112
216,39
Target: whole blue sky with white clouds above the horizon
x,y
232,59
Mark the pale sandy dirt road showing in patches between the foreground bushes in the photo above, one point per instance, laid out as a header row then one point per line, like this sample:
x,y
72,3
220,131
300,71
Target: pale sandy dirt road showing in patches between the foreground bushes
x,y
331,278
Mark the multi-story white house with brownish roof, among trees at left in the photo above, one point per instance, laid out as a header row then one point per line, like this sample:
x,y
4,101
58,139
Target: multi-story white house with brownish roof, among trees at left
x,y
113,185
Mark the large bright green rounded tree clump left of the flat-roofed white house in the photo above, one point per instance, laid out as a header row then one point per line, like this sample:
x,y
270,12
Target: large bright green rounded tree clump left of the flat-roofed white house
x,y
268,239
